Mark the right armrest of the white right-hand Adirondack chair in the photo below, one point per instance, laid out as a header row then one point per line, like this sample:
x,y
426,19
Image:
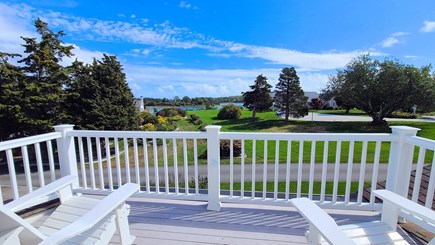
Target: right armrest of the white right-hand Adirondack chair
x,y
406,205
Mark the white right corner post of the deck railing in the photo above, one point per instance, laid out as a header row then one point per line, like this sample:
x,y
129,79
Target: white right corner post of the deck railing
x,y
400,162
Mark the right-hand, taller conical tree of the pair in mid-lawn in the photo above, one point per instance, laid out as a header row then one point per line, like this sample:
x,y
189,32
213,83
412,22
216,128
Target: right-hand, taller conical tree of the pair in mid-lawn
x,y
289,96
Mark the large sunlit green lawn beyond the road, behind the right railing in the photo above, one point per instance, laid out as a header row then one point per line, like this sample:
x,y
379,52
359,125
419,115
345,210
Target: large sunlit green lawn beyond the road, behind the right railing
x,y
268,122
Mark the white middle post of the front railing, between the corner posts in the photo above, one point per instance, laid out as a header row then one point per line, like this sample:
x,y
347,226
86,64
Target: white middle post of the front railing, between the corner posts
x,y
213,167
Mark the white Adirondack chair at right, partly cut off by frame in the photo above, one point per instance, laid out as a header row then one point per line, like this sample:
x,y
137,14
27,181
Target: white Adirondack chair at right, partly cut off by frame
x,y
324,230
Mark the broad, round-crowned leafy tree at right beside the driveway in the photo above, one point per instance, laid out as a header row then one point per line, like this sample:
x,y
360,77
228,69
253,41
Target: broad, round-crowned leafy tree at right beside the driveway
x,y
379,88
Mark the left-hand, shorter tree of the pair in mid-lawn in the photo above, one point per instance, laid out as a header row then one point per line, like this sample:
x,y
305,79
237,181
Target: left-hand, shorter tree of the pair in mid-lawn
x,y
258,98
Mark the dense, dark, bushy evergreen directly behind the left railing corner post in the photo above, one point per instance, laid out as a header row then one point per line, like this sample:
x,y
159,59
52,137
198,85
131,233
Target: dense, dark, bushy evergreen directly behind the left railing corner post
x,y
99,96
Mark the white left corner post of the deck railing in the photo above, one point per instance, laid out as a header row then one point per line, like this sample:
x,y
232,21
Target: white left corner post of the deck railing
x,y
67,152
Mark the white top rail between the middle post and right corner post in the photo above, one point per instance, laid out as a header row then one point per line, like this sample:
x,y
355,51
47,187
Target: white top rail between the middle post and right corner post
x,y
310,136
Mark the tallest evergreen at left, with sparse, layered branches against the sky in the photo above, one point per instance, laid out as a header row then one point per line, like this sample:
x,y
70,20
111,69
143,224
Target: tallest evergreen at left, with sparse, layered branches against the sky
x,y
42,87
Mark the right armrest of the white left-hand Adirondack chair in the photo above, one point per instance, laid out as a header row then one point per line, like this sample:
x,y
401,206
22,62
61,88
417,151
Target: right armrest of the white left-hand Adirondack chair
x,y
95,215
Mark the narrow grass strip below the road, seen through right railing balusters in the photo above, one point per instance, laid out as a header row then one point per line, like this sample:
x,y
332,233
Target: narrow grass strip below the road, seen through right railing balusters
x,y
341,190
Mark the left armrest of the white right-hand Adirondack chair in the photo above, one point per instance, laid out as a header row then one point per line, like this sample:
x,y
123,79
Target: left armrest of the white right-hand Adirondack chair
x,y
321,221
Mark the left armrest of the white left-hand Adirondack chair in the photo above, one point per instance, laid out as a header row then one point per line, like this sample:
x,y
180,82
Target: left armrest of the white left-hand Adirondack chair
x,y
32,197
